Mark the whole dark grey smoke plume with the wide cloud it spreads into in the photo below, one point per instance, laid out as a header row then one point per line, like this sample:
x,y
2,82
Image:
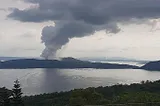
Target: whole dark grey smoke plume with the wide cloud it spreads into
x,y
79,18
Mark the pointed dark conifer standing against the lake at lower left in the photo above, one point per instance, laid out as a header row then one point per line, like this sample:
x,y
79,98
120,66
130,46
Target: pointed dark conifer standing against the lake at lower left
x,y
17,94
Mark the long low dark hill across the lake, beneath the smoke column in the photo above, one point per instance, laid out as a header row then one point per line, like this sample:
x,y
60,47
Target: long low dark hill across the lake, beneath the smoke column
x,y
63,63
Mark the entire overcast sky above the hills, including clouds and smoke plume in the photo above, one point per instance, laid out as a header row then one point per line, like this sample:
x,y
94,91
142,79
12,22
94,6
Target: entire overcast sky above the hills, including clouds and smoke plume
x,y
80,28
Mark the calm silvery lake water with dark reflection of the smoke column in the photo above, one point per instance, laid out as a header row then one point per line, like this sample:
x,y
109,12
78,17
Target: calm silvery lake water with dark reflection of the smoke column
x,y
36,81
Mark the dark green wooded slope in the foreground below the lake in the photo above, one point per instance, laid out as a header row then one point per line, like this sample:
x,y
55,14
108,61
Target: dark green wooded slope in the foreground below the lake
x,y
146,93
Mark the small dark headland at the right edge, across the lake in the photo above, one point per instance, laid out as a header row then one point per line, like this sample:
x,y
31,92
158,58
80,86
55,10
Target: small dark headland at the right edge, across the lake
x,y
153,66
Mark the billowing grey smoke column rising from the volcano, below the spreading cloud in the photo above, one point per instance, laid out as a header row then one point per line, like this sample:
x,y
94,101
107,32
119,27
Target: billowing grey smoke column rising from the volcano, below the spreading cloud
x,y
54,37
